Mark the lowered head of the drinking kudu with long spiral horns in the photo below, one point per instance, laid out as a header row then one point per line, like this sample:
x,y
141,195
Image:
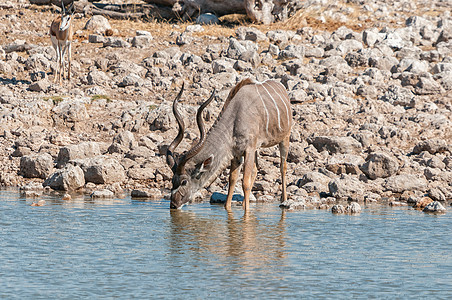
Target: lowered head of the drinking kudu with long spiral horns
x,y
186,176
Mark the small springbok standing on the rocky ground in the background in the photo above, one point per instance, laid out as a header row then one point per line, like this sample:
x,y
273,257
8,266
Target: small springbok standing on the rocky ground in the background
x,y
61,32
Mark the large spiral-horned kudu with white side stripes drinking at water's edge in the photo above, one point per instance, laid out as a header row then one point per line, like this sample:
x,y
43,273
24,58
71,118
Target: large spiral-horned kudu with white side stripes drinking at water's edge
x,y
254,115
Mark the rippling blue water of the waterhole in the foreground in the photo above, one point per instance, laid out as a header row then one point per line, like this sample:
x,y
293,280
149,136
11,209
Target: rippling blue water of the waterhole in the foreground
x,y
123,248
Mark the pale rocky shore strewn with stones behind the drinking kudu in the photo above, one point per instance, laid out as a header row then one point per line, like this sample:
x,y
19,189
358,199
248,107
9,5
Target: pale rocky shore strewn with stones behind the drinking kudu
x,y
370,84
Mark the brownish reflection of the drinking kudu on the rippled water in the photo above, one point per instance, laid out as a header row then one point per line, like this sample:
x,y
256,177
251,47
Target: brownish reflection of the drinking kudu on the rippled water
x,y
245,239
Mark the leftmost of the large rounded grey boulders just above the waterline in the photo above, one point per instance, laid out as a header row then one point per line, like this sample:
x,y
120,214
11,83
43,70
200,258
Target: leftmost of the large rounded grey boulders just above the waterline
x,y
36,166
